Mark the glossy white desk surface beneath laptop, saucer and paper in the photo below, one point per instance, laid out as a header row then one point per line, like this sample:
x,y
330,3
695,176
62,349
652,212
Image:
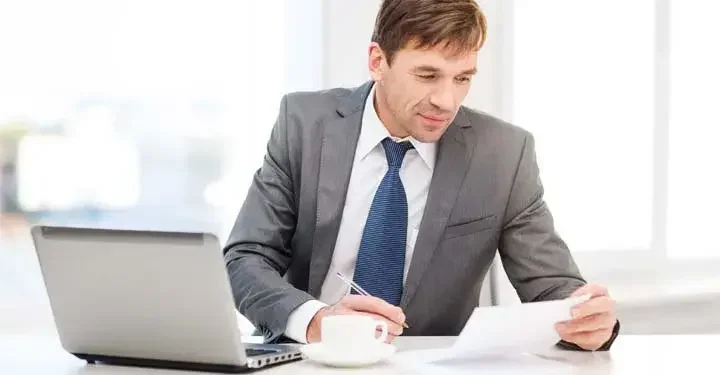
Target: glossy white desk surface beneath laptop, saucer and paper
x,y
24,354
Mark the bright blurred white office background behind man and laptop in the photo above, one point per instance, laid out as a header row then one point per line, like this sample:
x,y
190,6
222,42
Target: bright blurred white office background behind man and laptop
x,y
154,115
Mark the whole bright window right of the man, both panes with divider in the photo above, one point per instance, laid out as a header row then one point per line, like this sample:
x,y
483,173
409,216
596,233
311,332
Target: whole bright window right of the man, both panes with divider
x,y
620,98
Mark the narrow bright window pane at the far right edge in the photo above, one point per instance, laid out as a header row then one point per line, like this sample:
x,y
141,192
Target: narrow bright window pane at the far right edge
x,y
694,131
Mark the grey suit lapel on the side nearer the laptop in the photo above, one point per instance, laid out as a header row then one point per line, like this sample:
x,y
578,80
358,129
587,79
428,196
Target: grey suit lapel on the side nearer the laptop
x,y
339,140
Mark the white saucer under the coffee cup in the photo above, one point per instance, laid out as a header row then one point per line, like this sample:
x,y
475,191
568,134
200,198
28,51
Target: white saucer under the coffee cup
x,y
335,357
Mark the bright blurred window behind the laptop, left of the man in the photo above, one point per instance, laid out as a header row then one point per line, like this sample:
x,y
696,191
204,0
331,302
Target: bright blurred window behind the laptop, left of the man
x,y
130,114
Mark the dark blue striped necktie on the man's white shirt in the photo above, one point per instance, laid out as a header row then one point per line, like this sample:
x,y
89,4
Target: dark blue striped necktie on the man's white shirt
x,y
381,257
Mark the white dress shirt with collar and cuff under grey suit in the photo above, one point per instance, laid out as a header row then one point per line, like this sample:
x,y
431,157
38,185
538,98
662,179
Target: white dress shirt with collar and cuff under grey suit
x,y
369,168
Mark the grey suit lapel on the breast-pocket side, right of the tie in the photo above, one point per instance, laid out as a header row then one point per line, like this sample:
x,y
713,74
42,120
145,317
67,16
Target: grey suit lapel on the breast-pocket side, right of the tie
x,y
453,158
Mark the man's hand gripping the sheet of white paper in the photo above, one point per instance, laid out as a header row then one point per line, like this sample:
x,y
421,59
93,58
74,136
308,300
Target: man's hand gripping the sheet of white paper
x,y
593,320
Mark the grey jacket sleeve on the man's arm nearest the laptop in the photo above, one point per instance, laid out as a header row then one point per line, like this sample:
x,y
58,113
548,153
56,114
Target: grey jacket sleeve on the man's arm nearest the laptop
x,y
258,251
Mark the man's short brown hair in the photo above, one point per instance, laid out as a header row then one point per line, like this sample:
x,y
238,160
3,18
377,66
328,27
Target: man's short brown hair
x,y
458,24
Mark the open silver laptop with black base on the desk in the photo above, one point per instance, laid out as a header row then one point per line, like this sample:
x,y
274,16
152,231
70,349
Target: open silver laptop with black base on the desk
x,y
146,298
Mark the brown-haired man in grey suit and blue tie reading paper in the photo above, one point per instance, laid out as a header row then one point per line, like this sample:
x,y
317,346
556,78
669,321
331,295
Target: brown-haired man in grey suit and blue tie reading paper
x,y
396,185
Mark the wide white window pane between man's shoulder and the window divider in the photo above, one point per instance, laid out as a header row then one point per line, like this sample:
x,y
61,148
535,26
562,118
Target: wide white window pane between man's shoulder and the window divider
x,y
583,84
